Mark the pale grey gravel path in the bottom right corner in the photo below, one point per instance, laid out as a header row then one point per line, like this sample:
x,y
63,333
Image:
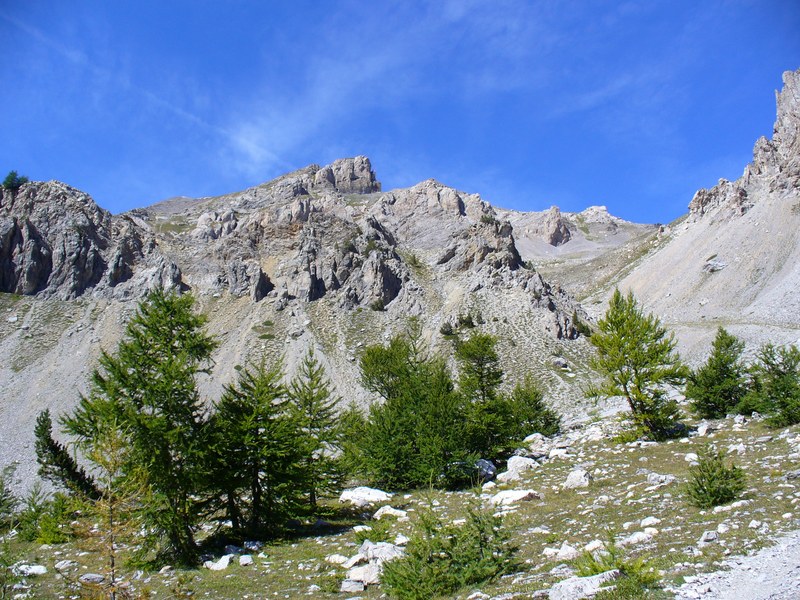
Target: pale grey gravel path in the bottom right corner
x,y
770,574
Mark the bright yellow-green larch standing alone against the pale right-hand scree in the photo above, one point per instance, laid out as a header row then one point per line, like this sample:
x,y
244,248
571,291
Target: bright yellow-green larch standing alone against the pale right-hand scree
x,y
636,356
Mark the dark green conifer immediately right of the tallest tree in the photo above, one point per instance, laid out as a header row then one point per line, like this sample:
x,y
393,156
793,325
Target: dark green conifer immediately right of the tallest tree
x,y
258,451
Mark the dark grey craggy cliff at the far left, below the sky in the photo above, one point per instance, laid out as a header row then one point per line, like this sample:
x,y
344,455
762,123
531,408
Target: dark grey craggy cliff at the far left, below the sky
x,y
56,242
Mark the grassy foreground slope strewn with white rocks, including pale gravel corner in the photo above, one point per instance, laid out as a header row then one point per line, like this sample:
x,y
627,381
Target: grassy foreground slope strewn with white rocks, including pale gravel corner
x,y
559,498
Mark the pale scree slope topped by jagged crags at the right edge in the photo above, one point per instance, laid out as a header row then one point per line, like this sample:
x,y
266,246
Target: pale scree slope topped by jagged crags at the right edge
x,y
736,257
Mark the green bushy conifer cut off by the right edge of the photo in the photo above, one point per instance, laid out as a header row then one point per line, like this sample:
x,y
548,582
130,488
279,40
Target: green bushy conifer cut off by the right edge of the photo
x,y
775,385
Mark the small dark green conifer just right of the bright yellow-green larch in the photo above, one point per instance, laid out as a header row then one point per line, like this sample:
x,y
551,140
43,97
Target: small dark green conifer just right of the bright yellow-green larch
x,y
718,386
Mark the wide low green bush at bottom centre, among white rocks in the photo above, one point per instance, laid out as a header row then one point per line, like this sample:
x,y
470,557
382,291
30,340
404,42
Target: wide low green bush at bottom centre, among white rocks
x,y
443,558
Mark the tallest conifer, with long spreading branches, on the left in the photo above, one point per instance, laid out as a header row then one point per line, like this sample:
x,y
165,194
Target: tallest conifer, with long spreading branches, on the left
x,y
148,388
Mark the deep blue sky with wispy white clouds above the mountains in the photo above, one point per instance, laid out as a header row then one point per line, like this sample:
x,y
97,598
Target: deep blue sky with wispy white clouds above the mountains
x,y
634,105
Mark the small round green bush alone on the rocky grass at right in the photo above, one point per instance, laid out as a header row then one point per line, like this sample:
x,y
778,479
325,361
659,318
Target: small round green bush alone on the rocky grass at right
x,y
712,482
